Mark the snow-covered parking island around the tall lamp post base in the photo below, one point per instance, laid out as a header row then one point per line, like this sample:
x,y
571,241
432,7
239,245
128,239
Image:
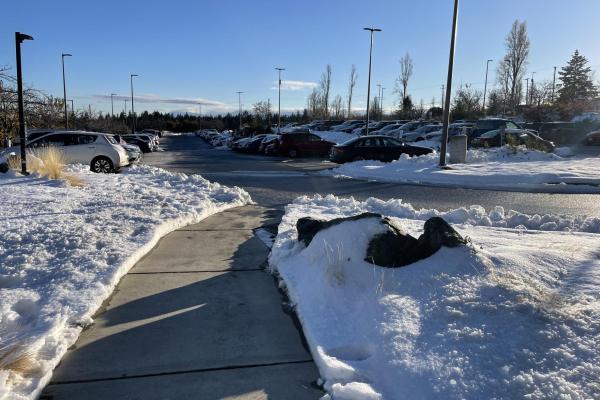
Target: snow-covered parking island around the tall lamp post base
x,y
502,168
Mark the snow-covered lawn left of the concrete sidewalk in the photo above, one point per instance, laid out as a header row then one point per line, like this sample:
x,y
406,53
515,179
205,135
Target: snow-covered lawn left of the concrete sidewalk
x,y
63,249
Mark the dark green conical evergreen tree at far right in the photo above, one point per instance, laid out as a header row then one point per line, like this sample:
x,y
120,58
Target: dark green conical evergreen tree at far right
x,y
576,78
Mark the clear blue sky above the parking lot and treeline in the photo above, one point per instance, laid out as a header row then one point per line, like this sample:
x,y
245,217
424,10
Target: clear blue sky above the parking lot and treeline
x,y
190,51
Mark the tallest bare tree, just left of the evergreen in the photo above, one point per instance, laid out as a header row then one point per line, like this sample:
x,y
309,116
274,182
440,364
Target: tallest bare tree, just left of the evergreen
x,y
515,61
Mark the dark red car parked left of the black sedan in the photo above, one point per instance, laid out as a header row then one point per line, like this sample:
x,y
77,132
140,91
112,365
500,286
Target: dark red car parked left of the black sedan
x,y
299,144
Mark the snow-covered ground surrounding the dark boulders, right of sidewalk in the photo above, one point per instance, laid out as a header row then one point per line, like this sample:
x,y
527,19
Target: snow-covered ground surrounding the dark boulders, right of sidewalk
x,y
514,315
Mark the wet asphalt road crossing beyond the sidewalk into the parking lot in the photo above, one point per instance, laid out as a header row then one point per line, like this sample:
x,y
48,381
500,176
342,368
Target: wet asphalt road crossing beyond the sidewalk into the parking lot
x,y
274,182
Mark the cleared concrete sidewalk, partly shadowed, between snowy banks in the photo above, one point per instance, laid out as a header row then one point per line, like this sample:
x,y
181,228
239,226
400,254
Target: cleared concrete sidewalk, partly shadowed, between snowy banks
x,y
197,318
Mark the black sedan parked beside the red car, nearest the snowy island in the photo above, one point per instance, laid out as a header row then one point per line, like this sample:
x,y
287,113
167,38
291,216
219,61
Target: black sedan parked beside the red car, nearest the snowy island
x,y
380,148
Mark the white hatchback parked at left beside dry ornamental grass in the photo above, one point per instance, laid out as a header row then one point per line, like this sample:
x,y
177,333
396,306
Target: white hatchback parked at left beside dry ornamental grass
x,y
100,151
